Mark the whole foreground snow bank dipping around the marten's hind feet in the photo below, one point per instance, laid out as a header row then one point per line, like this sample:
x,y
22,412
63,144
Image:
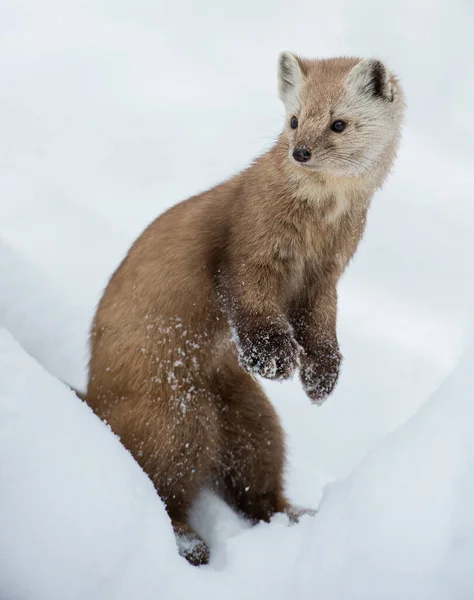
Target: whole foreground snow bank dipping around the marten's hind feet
x,y
79,519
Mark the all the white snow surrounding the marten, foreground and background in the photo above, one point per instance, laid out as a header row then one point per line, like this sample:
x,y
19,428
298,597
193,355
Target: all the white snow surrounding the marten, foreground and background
x,y
110,112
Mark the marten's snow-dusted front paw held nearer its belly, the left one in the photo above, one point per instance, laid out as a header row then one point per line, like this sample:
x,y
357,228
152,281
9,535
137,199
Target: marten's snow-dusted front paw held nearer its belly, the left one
x,y
270,353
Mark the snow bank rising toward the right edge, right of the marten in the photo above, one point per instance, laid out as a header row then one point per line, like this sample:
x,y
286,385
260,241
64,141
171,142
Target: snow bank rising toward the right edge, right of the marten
x,y
402,526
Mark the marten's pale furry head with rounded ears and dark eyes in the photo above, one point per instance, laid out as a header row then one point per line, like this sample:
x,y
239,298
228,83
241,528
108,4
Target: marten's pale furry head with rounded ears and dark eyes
x,y
341,113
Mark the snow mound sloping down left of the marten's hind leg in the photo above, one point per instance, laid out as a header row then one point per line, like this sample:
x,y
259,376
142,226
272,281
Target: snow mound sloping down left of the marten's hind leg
x,y
78,518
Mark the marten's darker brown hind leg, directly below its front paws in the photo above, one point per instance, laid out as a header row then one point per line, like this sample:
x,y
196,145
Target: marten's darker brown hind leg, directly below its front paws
x,y
252,460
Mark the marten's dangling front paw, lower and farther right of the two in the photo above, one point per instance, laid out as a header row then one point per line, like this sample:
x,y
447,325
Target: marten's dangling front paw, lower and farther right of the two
x,y
319,372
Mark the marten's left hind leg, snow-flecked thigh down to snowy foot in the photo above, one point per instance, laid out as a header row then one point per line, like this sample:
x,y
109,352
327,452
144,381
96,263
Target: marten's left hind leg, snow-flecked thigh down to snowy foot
x,y
176,442
